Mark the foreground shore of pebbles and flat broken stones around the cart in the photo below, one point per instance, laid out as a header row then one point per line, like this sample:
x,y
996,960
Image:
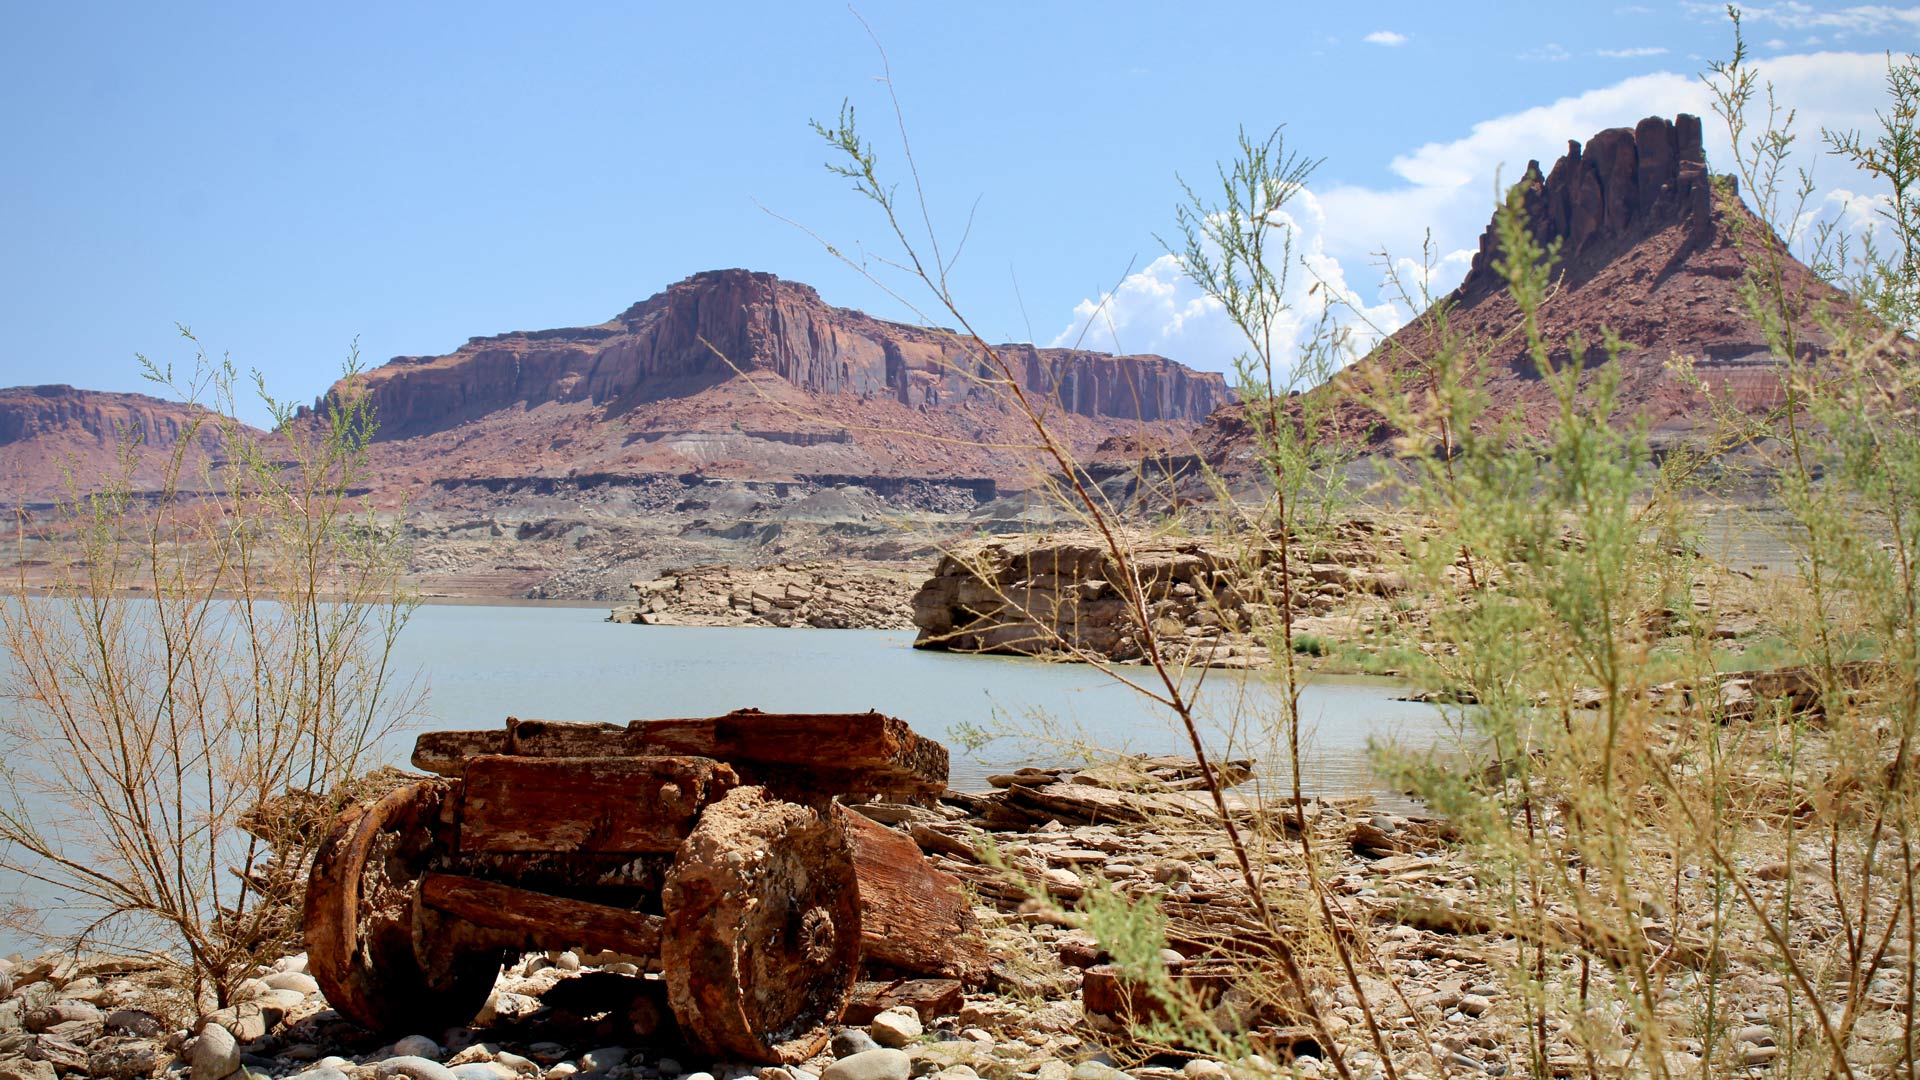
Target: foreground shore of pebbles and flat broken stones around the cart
x,y
1051,1008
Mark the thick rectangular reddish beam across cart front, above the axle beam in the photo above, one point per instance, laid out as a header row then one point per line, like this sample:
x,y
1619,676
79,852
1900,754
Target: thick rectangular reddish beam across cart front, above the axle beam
x,y
587,804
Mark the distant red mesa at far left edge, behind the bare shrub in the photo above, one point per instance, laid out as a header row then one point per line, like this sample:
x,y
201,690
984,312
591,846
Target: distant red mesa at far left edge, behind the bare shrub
x,y
53,431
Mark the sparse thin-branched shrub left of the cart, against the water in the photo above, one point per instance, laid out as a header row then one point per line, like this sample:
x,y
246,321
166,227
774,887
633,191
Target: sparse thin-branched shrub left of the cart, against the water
x,y
191,695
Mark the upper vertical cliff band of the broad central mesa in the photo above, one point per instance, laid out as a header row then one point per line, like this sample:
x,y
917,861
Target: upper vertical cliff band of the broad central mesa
x,y
725,324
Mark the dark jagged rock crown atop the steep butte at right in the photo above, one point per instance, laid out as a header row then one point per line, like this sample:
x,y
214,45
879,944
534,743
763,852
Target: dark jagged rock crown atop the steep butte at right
x,y
1604,197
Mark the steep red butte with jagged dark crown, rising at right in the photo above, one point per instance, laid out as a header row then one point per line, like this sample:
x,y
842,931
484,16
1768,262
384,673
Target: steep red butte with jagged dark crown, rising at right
x,y
1648,251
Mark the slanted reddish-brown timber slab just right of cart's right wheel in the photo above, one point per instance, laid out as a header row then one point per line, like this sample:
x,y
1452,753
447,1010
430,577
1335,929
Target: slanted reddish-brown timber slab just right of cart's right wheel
x,y
913,918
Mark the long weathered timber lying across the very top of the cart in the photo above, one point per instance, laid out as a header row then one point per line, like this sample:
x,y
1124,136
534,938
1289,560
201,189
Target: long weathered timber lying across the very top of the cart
x,y
827,752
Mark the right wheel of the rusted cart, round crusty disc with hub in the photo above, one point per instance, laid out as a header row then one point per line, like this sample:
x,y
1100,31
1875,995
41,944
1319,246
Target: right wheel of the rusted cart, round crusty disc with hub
x,y
763,929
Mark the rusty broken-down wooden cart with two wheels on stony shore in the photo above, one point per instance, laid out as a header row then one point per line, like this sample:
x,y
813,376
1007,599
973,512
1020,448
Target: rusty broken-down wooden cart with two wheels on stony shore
x,y
708,850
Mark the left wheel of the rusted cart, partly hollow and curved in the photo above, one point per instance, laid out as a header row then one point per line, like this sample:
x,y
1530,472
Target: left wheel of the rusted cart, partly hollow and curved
x,y
379,958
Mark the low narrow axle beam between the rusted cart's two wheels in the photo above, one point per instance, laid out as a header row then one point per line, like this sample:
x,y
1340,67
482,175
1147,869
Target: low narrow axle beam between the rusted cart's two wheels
x,y
533,920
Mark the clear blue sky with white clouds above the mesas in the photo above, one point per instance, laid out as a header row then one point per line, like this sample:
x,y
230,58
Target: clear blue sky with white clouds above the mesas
x,y
289,180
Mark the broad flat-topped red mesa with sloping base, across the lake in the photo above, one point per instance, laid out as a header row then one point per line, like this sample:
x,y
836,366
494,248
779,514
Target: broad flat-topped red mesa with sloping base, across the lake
x,y
736,374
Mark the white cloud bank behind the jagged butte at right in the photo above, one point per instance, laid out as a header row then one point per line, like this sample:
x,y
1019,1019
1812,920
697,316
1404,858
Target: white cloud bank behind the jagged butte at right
x,y
1447,193
